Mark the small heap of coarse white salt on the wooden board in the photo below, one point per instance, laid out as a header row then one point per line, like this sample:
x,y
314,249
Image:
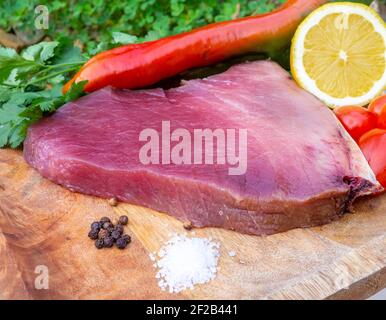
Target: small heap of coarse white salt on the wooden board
x,y
183,262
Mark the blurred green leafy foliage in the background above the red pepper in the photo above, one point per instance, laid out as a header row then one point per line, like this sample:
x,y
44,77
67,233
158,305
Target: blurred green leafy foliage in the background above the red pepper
x,y
93,21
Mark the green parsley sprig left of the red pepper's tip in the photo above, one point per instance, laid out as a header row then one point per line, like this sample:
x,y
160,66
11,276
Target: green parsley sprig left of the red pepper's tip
x,y
30,85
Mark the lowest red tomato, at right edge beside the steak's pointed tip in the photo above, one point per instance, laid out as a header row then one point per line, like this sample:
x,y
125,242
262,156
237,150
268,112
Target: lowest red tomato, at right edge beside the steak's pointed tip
x,y
373,145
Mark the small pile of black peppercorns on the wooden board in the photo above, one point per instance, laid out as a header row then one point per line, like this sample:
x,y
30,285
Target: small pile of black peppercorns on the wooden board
x,y
105,233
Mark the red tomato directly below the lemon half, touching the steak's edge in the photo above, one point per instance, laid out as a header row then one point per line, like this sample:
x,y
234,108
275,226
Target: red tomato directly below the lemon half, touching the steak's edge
x,y
356,120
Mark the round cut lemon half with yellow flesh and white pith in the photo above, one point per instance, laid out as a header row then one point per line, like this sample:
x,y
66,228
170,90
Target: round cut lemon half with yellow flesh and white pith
x,y
338,54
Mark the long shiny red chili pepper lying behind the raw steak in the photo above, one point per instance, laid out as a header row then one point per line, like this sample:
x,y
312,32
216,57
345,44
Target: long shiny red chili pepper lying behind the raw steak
x,y
140,65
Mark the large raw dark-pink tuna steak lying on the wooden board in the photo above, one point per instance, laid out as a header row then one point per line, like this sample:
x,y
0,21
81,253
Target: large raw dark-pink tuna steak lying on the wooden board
x,y
302,169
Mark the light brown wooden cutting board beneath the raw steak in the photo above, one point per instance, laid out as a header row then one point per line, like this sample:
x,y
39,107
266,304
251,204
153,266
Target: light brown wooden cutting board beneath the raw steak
x,y
42,224
